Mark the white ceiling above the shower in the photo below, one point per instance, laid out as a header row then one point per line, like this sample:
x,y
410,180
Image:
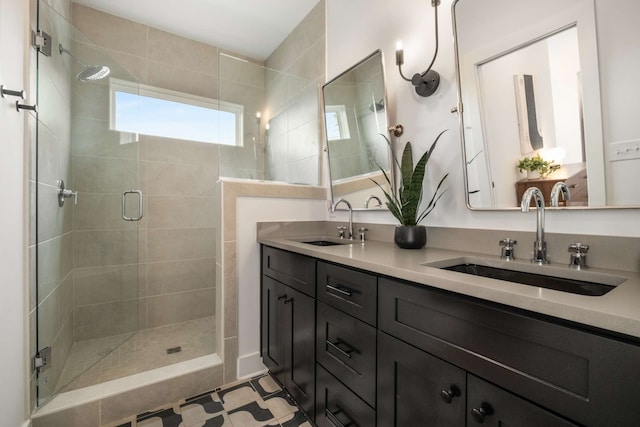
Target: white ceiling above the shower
x,y
254,28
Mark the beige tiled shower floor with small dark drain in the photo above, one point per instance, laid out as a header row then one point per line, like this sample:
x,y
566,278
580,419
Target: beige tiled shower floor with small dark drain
x,y
95,361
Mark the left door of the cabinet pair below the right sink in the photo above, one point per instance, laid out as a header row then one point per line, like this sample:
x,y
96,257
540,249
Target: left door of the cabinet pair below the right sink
x,y
415,388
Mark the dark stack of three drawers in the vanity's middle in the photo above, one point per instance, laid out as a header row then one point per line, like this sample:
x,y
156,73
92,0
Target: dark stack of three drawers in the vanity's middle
x,y
345,346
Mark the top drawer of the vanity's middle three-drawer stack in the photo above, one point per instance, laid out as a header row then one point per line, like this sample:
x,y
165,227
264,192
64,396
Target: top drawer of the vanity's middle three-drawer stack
x,y
351,291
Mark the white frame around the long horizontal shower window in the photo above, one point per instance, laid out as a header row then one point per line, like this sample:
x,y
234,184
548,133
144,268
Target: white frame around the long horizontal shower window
x,y
120,85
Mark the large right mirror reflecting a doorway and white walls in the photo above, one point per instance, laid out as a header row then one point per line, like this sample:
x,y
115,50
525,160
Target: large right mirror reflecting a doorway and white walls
x,y
530,85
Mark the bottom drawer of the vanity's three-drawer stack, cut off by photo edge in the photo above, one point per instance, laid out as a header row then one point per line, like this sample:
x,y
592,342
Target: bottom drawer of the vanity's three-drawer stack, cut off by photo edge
x,y
336,405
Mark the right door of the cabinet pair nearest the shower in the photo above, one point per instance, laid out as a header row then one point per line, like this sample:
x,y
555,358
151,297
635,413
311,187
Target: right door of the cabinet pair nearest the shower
x,y
299,334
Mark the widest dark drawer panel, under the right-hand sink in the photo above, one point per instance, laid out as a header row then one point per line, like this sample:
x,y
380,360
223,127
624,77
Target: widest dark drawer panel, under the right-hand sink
x,y
565,369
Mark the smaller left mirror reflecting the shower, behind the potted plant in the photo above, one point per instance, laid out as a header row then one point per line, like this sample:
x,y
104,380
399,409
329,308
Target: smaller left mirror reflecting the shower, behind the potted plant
x,y
355,118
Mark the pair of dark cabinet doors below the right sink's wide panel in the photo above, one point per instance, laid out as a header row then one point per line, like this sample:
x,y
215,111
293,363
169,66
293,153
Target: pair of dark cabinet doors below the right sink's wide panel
x,y
415,386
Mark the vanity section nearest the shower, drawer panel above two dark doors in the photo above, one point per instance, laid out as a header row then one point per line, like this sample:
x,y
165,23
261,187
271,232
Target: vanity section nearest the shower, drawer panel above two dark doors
x,y
288,323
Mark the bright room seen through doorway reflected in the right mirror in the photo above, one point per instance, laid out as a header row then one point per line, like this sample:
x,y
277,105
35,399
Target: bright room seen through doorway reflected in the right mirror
x,y
532,109
